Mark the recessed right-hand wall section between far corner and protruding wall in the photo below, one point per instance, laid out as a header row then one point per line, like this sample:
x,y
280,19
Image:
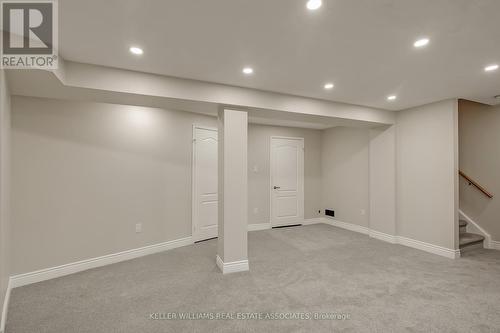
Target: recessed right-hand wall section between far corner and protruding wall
x,y
359,176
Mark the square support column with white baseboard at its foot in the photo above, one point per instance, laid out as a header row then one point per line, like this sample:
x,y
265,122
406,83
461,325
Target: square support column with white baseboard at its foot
x,y
232,244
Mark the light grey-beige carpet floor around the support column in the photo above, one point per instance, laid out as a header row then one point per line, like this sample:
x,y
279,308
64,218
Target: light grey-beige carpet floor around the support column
x,y
302,271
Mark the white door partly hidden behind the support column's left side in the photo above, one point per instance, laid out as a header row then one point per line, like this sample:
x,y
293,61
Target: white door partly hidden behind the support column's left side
x,y
205,200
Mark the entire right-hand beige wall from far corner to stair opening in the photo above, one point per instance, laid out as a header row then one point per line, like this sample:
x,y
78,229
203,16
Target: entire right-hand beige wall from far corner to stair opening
x,y
405,176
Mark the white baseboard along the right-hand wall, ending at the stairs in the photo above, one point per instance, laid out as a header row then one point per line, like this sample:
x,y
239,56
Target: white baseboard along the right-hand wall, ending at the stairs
x,y
416,244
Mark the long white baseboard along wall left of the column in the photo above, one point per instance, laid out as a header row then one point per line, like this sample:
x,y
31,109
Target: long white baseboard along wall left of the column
x,y
55,272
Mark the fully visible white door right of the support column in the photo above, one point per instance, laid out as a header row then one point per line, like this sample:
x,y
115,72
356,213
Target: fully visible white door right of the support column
x,y
287,181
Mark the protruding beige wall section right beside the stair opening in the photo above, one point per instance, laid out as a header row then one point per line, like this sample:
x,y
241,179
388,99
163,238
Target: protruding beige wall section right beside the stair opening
x,y
427,173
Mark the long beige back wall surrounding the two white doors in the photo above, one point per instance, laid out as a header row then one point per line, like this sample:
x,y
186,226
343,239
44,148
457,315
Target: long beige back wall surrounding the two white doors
x,y
84,174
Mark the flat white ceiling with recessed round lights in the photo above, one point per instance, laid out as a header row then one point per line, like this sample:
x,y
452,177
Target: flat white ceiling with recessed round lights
x,y
364,46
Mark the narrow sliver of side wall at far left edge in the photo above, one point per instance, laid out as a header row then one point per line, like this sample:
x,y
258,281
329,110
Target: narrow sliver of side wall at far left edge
x,y
4,187
